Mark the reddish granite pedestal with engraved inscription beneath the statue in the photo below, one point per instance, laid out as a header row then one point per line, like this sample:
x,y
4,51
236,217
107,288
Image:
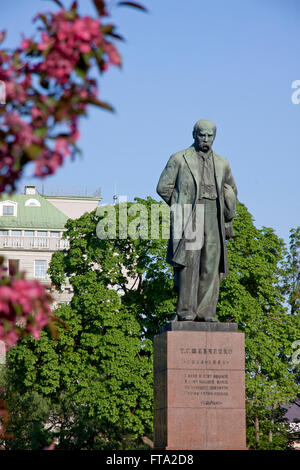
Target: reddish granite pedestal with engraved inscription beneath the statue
x,y
199,387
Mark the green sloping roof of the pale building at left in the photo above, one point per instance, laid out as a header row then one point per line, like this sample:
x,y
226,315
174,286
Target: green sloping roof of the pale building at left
x,y
47,216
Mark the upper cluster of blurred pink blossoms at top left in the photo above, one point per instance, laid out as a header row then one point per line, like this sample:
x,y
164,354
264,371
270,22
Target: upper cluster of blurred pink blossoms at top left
x,y
58,52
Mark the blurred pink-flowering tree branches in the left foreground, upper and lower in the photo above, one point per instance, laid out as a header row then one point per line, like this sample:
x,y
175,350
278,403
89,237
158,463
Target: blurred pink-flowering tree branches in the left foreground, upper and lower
x,y
49,86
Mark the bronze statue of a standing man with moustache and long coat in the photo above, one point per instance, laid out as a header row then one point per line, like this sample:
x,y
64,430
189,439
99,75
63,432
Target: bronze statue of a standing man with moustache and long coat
x,y
199,179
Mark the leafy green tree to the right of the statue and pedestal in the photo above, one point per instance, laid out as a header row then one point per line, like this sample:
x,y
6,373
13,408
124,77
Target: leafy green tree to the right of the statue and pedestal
x,y
251,296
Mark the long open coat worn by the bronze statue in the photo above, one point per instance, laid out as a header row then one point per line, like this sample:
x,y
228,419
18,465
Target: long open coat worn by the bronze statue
x,y
179,184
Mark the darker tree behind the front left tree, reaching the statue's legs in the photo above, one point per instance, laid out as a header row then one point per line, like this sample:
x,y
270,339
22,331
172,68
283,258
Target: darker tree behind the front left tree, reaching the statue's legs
x,y
149,295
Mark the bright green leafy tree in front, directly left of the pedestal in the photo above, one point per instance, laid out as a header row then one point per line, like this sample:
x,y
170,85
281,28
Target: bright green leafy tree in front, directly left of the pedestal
x,y
98,373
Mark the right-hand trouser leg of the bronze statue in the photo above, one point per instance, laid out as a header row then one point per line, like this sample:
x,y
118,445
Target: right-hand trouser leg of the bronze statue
x,y
209,278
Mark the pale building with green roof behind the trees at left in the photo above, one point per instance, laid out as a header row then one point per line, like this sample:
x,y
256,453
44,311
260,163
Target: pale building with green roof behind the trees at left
x,y
31,230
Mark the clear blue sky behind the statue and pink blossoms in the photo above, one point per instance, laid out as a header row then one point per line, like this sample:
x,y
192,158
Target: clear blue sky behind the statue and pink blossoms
x,y
229,61
